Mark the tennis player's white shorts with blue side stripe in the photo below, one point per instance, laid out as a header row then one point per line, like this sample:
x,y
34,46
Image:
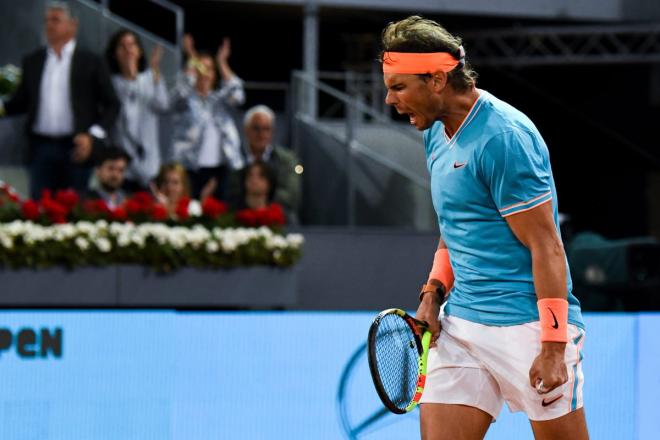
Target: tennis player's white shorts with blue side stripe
x,y
482,366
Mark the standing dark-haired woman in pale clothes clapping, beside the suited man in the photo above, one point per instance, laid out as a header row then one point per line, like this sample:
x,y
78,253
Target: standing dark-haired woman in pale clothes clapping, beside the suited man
x,y
143,96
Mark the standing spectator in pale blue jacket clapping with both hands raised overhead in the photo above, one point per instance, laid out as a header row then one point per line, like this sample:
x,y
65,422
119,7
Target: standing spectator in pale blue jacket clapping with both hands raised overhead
x,y
206,140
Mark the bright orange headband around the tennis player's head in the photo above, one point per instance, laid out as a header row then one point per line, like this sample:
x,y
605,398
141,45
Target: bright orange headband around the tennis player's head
x,y
420,63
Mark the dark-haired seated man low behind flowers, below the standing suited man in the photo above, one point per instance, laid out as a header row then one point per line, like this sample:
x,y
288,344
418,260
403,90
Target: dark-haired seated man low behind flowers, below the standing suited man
x,y
112,163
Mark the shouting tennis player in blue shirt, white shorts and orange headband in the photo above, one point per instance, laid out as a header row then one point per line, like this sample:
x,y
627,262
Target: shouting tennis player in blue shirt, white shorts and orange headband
x,y
511,329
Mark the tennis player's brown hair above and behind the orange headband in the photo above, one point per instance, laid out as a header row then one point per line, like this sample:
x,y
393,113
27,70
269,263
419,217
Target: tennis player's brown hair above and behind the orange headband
x,y
420,35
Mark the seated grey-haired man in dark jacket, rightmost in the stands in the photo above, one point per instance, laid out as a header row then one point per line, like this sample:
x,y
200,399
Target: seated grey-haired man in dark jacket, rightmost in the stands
x,y
259,122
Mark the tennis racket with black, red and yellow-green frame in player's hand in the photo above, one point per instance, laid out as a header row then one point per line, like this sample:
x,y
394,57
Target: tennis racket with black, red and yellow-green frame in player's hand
x,y
398,350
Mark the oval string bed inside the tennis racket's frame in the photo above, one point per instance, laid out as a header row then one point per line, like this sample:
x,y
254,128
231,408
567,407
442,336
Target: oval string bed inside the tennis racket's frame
x,y
397,358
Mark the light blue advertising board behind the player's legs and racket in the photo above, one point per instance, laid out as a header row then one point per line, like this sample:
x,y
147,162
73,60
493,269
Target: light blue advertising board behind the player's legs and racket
x,y
285,375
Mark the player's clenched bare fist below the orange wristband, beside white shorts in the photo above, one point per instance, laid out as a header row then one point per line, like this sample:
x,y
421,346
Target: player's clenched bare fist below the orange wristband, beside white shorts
x,y
549,368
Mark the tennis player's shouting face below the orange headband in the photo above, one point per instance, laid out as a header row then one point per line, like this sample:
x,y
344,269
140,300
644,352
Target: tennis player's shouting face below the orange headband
x,y
413,96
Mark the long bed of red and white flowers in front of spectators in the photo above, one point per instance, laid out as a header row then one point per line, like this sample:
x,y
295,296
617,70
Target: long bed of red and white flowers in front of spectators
x,y
62,230
